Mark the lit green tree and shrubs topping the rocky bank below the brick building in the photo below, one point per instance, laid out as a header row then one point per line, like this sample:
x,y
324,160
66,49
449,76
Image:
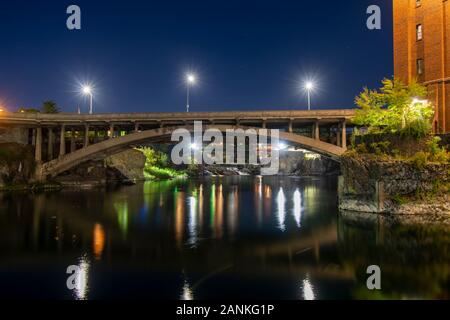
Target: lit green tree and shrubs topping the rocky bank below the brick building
x,y
396,124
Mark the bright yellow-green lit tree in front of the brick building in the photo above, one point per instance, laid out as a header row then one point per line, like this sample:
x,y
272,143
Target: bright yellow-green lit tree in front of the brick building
x,y
395,108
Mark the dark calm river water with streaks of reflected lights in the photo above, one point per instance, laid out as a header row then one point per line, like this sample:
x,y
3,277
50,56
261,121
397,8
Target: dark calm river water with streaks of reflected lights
x,y
214,238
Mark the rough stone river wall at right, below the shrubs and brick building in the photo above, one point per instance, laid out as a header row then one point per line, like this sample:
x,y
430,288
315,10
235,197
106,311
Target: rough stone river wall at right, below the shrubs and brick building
x,y
370,184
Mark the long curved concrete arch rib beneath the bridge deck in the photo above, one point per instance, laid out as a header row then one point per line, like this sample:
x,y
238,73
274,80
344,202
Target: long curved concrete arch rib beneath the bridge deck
x,y
115,145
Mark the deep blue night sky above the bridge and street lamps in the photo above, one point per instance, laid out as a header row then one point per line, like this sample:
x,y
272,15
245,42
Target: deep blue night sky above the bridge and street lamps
x,y
248,55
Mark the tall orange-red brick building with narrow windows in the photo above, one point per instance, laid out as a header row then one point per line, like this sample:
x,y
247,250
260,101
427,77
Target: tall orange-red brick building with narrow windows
x,y
422,51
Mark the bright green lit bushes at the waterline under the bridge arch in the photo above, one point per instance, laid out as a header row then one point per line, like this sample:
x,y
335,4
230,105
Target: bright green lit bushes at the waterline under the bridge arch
x,y
157,166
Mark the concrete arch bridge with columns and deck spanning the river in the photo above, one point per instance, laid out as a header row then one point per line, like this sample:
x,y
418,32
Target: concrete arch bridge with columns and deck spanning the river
x,y
87,137
